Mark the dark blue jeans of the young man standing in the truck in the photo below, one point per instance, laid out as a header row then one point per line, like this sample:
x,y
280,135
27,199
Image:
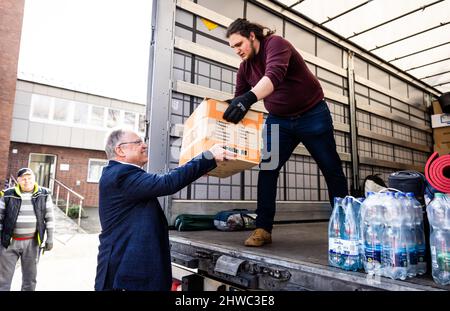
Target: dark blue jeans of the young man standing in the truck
x,y
314,129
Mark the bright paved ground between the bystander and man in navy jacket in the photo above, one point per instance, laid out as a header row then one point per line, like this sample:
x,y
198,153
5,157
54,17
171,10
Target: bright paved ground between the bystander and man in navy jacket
x,y
71,265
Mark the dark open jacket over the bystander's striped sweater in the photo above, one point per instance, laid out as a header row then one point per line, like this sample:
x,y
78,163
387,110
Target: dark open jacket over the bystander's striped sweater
x,y
13,200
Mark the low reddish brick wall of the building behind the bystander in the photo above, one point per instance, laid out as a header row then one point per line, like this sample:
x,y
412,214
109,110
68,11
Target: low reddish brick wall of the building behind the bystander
x,y
78,167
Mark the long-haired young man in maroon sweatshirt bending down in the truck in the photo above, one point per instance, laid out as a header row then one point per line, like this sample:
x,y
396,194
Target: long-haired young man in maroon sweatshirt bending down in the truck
x,y
273,70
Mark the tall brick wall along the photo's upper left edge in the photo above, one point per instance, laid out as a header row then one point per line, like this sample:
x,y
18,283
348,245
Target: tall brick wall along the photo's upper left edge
x,y
11,15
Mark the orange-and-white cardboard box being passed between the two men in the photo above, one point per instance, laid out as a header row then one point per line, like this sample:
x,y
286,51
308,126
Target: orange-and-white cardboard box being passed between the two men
x,y
206,127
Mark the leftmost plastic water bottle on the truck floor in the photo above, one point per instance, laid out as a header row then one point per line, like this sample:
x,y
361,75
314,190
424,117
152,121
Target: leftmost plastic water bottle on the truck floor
x,y
335,244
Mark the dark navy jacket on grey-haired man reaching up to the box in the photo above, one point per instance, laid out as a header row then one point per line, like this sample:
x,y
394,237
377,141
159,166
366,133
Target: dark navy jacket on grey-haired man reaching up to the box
x,y
134,252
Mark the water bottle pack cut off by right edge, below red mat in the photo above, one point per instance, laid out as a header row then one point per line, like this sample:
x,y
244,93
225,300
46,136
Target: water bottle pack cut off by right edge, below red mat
x,y
438,211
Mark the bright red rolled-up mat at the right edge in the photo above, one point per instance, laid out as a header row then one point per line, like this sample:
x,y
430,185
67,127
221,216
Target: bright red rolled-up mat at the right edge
x,y
434,172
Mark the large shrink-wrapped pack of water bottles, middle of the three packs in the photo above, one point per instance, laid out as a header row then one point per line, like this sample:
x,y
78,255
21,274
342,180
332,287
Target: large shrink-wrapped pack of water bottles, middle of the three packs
x,y
393,235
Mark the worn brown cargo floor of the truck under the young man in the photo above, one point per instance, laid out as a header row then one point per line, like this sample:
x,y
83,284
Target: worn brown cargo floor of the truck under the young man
x,y
294,243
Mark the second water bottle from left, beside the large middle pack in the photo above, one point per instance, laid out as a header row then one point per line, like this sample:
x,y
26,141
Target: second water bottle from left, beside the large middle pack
x,y
350,238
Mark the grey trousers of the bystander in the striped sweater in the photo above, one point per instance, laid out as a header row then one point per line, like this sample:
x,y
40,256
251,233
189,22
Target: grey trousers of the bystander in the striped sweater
x,y
27,251
